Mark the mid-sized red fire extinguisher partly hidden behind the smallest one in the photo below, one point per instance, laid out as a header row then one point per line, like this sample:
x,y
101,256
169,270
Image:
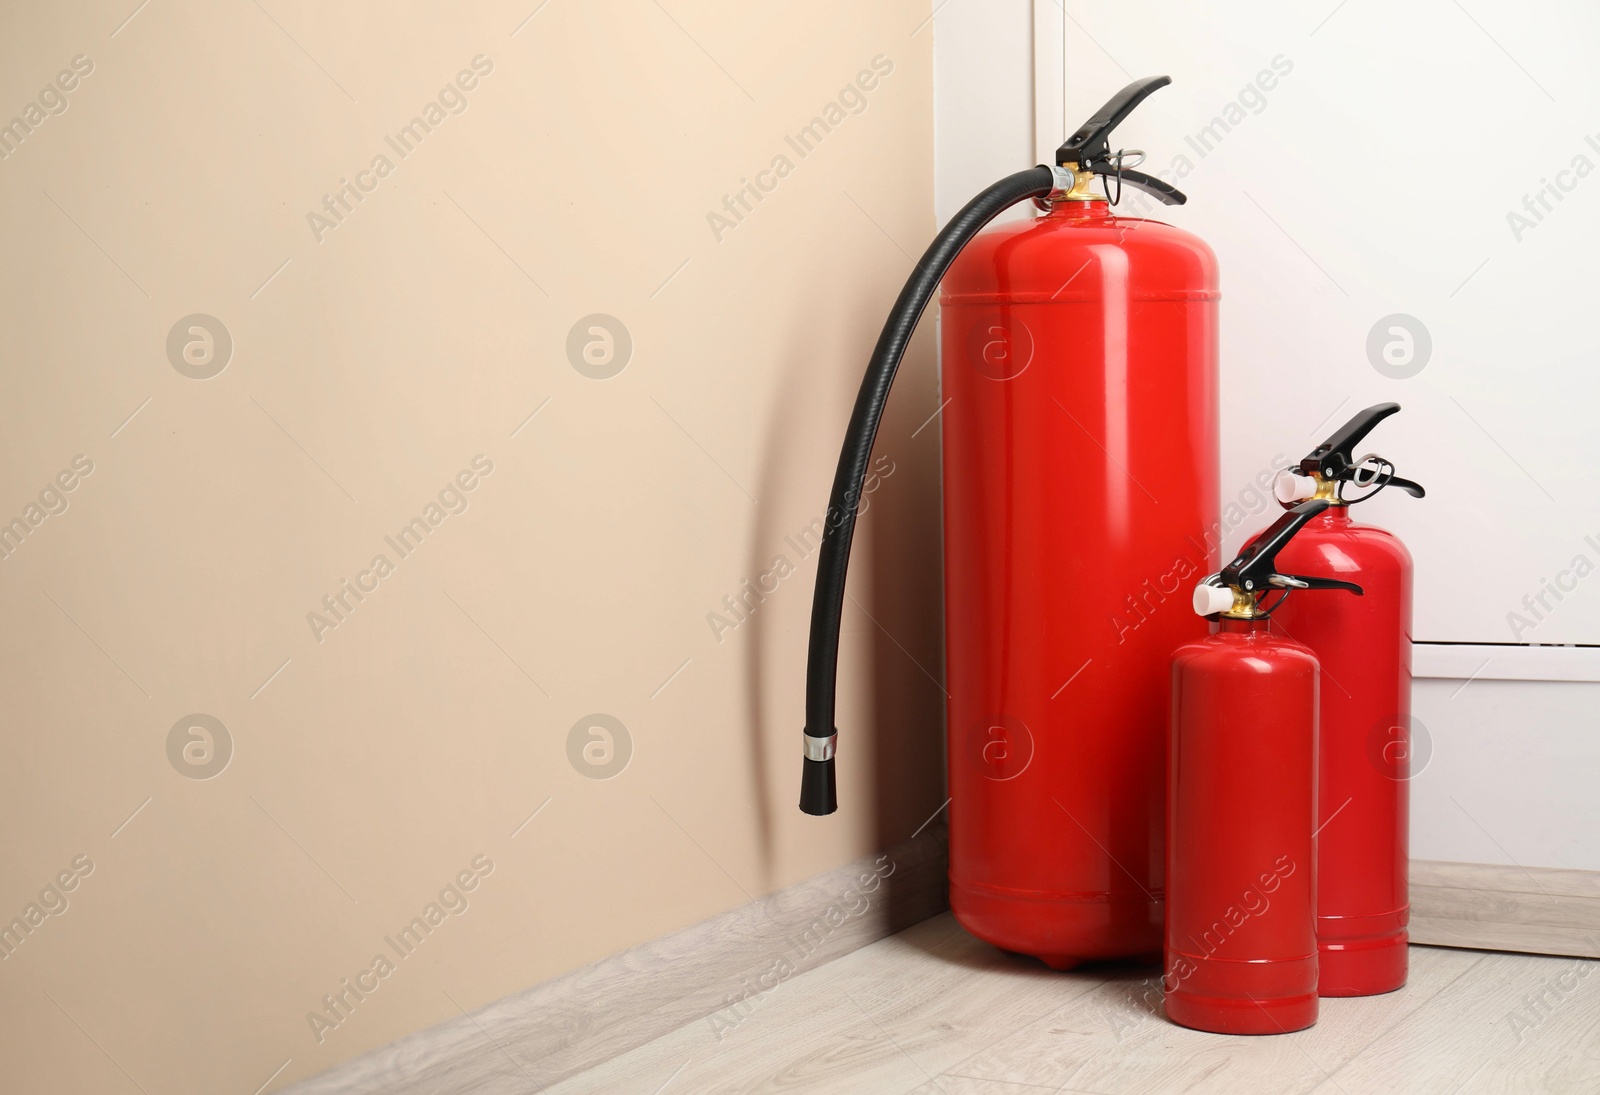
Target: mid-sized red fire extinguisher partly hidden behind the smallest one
x,y
1367,750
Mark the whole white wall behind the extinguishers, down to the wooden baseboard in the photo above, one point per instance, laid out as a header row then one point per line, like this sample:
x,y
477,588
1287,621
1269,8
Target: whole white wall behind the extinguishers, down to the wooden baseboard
x,y
1375,177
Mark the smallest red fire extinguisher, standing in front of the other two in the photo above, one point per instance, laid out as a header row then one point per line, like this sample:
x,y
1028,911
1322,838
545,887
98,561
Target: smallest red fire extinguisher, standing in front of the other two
x,y
1242,803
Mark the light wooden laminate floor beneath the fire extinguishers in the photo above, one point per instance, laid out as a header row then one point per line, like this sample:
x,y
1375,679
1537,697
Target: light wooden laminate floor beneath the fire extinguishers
x,y
934,1011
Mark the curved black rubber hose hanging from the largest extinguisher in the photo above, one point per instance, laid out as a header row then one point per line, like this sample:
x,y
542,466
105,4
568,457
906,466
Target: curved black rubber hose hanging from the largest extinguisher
x,y
818,793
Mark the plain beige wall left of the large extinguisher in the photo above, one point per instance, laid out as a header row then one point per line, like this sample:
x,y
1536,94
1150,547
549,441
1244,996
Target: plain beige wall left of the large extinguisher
x,y
374,761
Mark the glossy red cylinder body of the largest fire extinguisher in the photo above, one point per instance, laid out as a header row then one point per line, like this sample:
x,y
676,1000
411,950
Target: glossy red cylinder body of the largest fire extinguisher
x,y
1079,375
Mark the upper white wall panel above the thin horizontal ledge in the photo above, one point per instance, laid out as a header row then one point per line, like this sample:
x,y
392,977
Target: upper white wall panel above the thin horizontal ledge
x,y
1375,178
